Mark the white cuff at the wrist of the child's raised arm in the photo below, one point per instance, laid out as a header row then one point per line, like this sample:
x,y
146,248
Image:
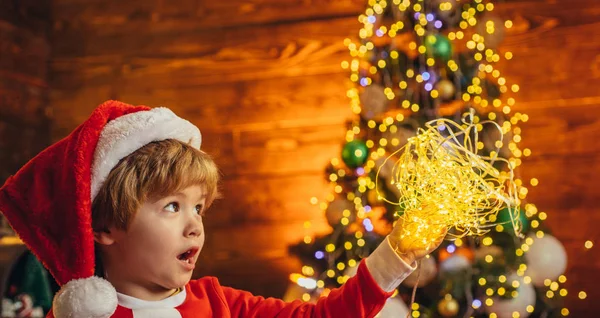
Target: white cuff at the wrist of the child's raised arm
x,y
387,268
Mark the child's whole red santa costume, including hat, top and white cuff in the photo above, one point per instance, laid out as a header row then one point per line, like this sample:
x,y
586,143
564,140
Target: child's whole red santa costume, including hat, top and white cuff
x,y
48,203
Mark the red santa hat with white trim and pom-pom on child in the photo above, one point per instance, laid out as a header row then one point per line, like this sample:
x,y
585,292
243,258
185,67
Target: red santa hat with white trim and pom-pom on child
x,y
48,202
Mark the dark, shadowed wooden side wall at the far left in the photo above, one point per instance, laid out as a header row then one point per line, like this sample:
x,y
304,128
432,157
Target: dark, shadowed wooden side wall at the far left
x,y
24,57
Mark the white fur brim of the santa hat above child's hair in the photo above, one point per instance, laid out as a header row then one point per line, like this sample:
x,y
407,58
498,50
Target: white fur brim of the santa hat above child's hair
x,y
124,135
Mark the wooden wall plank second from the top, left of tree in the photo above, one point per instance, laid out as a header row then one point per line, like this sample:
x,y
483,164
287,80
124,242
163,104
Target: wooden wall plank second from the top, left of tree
x,y
257,44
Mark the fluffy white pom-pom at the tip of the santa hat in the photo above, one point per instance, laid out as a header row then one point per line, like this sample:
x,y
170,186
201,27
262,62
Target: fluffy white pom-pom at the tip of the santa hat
x,y
91,297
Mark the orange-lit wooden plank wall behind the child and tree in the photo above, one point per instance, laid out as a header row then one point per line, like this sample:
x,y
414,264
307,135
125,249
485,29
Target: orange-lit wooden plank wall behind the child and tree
x,y
262,80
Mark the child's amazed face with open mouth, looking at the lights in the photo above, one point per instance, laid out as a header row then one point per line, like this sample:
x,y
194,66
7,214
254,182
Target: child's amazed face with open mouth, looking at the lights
x,y
163,242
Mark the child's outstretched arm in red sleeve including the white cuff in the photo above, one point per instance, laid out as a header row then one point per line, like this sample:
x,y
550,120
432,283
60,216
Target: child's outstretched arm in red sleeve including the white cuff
x,y
363,295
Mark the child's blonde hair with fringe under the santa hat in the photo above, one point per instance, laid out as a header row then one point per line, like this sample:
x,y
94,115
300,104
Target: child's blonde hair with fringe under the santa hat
x,y
158,169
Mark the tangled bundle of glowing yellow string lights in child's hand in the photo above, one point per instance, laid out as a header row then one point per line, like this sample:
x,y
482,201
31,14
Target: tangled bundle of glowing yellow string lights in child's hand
x,y
445,184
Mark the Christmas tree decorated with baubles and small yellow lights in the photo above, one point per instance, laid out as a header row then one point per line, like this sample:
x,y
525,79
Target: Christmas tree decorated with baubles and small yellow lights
x,y
414,62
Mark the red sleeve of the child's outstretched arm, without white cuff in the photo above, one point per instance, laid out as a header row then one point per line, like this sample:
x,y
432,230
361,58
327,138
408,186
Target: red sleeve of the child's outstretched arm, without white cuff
x,y
360,297
